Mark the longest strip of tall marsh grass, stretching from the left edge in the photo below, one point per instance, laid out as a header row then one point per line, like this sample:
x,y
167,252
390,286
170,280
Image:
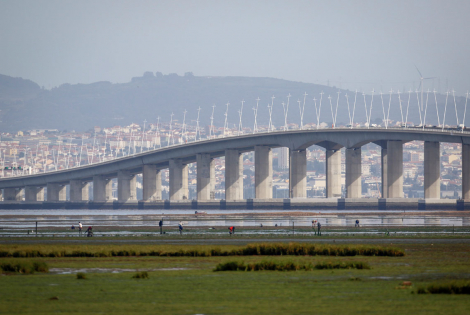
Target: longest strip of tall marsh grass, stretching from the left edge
x,y
279,249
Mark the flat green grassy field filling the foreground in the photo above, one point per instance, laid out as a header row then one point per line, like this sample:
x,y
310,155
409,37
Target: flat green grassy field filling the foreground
x,y
188,285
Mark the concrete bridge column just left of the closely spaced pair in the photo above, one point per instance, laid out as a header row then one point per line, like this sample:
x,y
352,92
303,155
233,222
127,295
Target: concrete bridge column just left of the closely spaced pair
x,y
298,173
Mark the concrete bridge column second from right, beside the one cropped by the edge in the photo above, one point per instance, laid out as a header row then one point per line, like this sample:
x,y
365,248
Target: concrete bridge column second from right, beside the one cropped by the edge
x,y
432,170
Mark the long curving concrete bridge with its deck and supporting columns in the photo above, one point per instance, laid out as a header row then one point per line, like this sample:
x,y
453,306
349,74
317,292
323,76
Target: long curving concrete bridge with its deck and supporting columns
x,y
176,158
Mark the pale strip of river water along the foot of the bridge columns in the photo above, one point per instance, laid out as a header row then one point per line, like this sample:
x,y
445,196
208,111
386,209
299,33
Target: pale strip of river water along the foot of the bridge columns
x,y
26,219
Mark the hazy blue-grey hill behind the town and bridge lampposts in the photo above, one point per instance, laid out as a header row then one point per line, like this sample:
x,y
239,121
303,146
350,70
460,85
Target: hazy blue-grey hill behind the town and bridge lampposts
x,y
24,105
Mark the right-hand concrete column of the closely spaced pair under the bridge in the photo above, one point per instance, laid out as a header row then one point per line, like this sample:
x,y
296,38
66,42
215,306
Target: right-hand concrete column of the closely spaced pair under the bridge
x,y
353,173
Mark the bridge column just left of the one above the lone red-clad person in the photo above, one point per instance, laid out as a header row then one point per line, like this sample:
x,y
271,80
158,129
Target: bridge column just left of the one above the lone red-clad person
x,y
205,176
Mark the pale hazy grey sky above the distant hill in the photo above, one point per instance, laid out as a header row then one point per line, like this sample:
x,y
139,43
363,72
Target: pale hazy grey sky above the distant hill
x,y
362,44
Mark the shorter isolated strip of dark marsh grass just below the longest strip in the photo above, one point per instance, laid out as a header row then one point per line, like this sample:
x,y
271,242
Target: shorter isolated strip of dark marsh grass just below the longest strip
x,y
287,266
